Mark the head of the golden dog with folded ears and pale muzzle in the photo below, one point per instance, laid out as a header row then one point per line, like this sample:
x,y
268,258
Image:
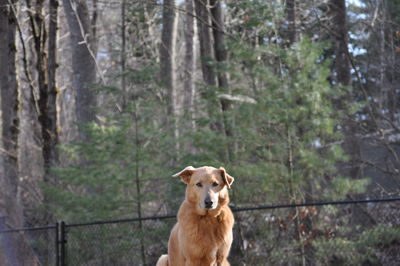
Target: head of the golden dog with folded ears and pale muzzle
x,y
206,186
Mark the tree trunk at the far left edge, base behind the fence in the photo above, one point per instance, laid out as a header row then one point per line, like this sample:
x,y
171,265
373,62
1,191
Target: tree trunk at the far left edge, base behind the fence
x,y
14,250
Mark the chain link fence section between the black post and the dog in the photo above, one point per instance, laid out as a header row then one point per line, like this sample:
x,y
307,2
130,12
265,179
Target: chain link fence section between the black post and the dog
x,y
121,242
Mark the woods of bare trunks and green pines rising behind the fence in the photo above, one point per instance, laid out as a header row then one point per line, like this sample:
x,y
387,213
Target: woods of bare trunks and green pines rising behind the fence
x,y
101,101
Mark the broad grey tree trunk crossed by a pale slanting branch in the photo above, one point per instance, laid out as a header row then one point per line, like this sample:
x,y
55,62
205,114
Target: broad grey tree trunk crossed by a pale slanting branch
x,y
83,60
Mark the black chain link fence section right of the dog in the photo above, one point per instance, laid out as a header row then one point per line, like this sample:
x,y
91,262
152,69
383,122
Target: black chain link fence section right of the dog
x,y
334,234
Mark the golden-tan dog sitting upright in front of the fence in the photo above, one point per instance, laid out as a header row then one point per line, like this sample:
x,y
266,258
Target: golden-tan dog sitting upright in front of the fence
x,y
203,234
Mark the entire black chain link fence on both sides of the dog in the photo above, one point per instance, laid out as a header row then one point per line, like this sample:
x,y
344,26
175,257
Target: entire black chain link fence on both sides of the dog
x,y
361,232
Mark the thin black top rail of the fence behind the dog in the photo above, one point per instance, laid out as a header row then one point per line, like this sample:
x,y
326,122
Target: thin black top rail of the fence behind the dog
x,y
234,209
